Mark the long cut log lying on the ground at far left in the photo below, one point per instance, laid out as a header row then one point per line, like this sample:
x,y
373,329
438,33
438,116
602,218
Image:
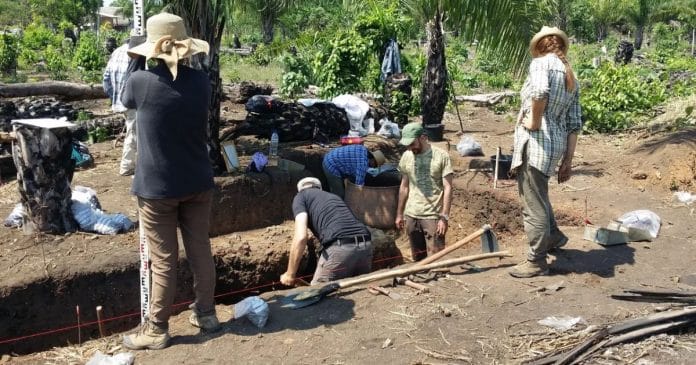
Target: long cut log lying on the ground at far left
x,y
62,89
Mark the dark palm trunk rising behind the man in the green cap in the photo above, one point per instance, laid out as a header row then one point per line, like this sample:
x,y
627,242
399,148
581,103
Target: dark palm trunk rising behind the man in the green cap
x,y
434,94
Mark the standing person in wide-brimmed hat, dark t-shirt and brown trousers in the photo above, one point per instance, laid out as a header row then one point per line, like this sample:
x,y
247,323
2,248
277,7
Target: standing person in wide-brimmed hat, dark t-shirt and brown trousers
x,y
173,179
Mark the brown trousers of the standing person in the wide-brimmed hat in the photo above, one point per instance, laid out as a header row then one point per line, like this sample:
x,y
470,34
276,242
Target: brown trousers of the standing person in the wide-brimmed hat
x,y
160,218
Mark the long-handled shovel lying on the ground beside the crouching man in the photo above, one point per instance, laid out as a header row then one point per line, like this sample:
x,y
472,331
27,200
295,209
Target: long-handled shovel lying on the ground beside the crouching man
x,y
305,297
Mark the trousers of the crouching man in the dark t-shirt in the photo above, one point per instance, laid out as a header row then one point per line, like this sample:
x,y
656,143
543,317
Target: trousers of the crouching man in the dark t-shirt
x,y
340,261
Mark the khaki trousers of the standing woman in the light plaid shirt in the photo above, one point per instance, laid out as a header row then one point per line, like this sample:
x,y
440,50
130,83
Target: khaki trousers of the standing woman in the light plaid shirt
x,y
539,222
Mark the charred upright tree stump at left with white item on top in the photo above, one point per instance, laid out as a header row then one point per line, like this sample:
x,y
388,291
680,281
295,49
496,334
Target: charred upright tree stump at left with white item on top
x,y
44,172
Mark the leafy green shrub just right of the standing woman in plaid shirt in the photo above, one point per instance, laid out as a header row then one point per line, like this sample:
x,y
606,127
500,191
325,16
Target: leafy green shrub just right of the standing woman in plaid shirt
x,y
614,97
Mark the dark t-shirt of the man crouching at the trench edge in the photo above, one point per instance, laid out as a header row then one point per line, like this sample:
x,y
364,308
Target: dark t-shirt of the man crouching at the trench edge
x,y
329,216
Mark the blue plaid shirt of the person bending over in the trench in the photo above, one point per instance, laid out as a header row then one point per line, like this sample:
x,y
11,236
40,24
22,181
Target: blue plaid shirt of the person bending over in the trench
x,y
348,161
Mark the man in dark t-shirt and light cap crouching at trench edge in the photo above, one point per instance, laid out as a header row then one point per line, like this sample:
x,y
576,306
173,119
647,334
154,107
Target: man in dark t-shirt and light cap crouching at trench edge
x,y
346,243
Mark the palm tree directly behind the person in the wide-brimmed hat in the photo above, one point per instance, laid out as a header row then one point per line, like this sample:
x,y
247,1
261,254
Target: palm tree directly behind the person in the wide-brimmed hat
x,y
206,21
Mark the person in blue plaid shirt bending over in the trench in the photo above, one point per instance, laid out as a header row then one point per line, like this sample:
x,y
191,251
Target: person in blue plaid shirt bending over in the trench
x,y
349,162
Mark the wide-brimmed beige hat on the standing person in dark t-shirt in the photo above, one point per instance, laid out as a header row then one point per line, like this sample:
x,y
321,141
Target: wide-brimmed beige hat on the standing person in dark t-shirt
x,y
168,41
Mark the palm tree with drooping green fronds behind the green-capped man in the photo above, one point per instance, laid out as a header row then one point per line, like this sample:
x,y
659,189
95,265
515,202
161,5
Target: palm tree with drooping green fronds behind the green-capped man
x,y
500,26
